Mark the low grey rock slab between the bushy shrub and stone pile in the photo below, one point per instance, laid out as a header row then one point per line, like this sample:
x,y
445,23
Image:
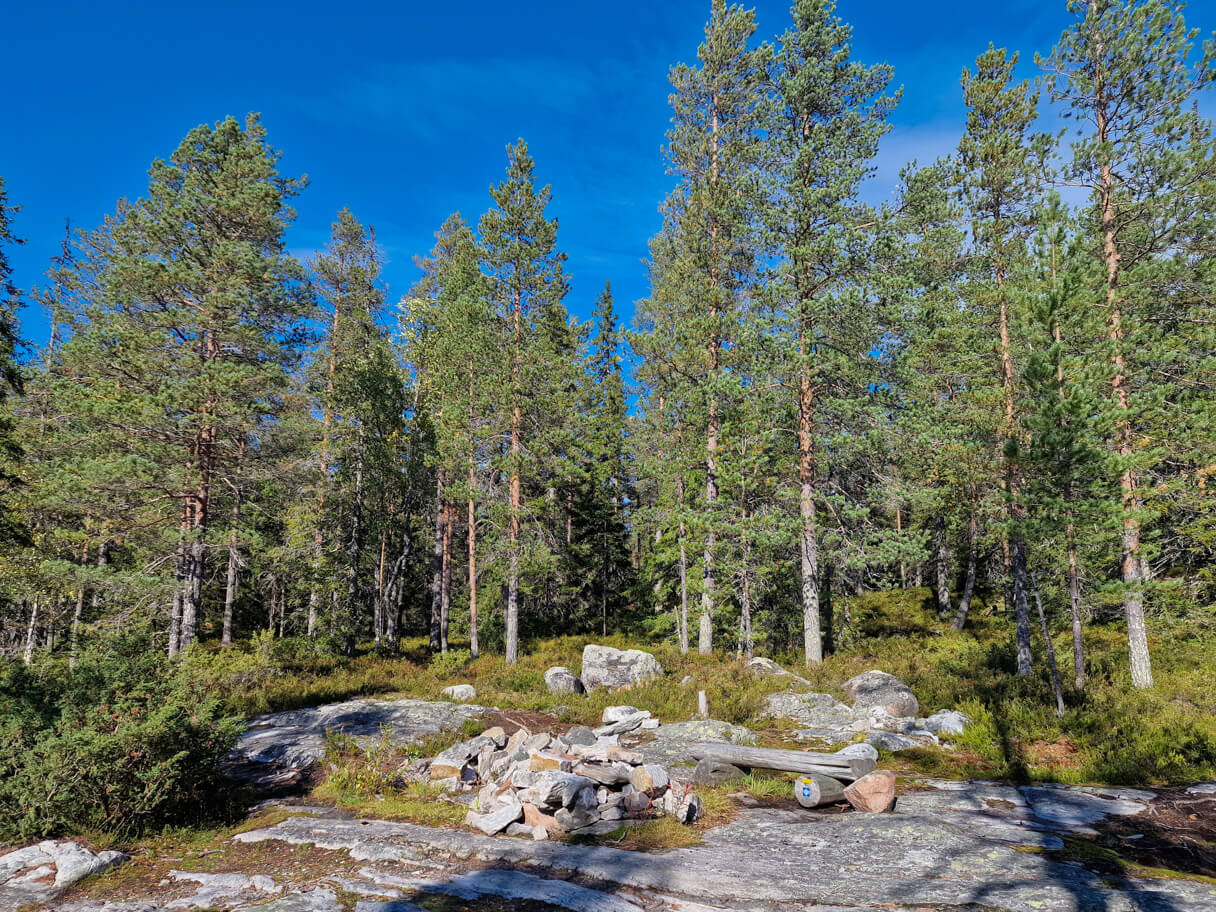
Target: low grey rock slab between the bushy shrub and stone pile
x,y
296,740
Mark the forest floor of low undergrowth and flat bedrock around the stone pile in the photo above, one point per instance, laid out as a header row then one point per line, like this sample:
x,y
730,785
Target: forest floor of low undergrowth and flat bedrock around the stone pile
x,y
357,810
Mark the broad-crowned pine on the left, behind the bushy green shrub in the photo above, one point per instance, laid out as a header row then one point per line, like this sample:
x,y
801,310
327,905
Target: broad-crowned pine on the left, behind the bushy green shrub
x,y
185,317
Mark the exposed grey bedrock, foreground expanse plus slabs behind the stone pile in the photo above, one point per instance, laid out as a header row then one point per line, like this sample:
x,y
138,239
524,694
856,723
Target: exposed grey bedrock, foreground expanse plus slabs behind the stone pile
x,y
966,846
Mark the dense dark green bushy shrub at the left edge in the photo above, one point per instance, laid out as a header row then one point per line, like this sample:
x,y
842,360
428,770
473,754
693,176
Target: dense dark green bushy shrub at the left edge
x,y
127,741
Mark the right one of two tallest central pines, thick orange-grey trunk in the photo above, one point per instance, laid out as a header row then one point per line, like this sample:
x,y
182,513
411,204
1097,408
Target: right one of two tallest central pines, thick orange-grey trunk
x,y
823,138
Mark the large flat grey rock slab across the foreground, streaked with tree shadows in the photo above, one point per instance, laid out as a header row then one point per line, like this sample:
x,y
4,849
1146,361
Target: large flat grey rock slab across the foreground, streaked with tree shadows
x,y
768,860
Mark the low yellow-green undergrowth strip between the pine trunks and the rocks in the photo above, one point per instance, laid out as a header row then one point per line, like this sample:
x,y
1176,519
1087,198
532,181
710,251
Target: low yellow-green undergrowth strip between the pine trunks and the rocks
x,y
1110,733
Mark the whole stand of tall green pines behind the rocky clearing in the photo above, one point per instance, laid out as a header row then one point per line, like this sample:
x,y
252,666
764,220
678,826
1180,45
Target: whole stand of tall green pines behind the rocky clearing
x,y
1000,384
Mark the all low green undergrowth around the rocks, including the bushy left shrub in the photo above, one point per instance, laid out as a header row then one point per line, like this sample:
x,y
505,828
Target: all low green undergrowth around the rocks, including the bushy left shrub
x,y
128,741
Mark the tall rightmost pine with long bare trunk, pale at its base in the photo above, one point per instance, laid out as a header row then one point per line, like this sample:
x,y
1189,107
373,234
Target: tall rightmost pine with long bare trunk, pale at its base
x,y
1124,72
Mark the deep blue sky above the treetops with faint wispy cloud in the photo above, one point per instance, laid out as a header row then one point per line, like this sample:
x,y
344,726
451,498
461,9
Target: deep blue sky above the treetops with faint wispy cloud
x,y
403,111
